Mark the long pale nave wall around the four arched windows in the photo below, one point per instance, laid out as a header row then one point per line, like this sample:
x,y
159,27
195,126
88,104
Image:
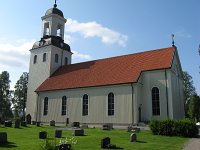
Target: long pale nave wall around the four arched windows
x,y
97,105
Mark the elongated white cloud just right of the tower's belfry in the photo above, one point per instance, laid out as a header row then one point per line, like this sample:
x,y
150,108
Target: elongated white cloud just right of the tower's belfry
x,y
93,29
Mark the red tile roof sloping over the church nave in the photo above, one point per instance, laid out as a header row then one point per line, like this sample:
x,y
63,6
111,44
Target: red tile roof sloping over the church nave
x,y
109,71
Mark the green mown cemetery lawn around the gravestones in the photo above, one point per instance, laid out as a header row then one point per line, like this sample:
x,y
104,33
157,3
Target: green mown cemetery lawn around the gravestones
x,y
26,138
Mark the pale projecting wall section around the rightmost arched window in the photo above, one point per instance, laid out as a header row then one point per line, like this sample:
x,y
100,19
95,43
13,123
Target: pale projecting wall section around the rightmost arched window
x,y
149,80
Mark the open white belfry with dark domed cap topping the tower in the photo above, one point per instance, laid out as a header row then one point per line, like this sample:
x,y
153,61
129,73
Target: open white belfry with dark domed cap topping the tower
x,y
53,23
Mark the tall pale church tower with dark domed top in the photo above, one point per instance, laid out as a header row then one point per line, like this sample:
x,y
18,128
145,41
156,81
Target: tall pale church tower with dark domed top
x,y
47,55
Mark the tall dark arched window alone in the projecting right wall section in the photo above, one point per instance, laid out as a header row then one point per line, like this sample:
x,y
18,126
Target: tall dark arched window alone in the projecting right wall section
x,y
155,101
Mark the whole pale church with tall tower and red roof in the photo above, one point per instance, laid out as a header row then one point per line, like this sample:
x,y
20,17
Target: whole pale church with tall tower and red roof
x,y
121,90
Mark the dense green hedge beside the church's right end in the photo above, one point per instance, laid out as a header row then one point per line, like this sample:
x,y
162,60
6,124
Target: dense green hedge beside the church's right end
x,y
184,127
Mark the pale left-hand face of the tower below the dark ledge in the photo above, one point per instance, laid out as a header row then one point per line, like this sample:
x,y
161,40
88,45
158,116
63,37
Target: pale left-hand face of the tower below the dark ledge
x,y
38,72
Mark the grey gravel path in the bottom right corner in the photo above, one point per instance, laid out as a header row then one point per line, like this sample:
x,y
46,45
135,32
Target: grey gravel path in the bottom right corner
x,y
193,144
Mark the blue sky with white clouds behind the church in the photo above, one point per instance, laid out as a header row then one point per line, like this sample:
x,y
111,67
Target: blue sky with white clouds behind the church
x,y
103,28
